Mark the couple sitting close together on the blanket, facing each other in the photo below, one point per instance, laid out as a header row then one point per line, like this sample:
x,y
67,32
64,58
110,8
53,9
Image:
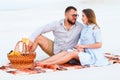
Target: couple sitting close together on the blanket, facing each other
x,y
73,42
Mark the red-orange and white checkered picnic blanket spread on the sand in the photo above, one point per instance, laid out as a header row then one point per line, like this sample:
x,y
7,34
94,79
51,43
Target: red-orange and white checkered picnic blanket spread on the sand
x,y
114,59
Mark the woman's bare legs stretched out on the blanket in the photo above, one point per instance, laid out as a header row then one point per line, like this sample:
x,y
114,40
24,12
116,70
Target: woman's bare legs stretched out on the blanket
x,y
59,59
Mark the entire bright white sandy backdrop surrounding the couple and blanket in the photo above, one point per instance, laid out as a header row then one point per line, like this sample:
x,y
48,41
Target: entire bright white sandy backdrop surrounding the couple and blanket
x,y
20,18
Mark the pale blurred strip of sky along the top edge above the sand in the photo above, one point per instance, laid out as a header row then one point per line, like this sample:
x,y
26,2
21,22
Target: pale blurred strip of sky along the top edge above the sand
x,y
26,4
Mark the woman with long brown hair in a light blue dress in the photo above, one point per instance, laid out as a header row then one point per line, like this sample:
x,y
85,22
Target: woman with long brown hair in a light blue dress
x,y
88,51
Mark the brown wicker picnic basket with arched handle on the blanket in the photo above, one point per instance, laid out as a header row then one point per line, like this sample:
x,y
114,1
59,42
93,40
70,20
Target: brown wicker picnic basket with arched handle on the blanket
x,y
23,60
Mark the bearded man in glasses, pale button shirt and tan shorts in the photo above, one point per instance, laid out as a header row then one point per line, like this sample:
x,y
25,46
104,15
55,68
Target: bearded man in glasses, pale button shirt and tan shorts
x,y
66,32
